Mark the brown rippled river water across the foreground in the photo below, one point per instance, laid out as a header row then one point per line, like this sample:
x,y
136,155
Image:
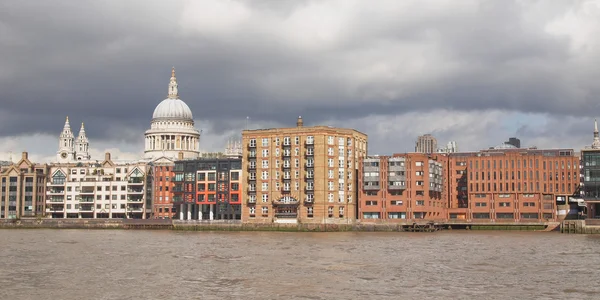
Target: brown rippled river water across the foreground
x,y
122,264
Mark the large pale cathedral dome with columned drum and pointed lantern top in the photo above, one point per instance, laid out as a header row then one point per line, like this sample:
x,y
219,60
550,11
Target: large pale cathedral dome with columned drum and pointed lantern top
x,y
172,128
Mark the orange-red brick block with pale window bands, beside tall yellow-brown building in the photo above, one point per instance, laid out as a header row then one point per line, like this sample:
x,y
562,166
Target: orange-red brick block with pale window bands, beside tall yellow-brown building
x,y
402,187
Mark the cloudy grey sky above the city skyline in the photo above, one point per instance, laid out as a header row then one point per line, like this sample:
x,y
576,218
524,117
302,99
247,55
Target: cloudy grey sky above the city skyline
x,y
471,71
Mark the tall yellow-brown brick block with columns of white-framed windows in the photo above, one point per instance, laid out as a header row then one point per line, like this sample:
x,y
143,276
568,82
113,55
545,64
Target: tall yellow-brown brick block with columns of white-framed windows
x,y
301,174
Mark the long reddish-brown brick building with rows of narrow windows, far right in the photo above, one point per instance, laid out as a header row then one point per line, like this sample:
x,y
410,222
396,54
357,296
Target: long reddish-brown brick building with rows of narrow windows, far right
x,y
510,184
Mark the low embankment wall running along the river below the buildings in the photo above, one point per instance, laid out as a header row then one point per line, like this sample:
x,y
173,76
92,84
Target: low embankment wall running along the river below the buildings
x,y
237,225
